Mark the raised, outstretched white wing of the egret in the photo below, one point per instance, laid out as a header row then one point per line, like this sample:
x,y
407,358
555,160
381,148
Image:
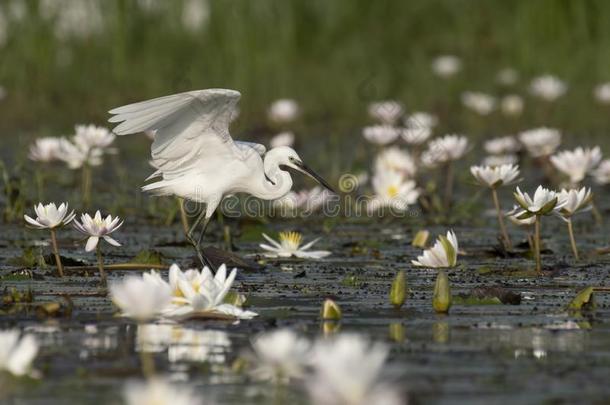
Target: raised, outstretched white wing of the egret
x,y
191,128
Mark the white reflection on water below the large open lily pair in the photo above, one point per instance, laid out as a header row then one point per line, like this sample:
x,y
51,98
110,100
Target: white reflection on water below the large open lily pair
x,y
184,344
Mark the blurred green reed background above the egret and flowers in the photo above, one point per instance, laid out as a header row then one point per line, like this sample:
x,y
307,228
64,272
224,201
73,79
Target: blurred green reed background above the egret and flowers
x,y
69,61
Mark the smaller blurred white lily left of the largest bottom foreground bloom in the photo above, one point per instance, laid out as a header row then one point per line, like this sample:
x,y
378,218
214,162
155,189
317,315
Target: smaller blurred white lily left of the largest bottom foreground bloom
x,y
281,355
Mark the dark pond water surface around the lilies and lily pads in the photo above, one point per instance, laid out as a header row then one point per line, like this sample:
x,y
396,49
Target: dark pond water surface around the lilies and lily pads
x,y
528,353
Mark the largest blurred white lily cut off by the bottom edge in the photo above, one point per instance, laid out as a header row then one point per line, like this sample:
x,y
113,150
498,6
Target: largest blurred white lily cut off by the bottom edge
x,y
348,370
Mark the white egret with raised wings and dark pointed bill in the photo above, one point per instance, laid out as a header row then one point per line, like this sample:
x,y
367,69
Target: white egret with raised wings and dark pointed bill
x,y
196,158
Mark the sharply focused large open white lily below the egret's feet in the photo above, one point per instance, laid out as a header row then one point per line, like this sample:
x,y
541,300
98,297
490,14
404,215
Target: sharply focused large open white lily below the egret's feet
x,y
208,299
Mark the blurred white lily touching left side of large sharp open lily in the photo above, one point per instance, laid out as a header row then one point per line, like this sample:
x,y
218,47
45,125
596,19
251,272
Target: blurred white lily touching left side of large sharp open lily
x,y
141,298
